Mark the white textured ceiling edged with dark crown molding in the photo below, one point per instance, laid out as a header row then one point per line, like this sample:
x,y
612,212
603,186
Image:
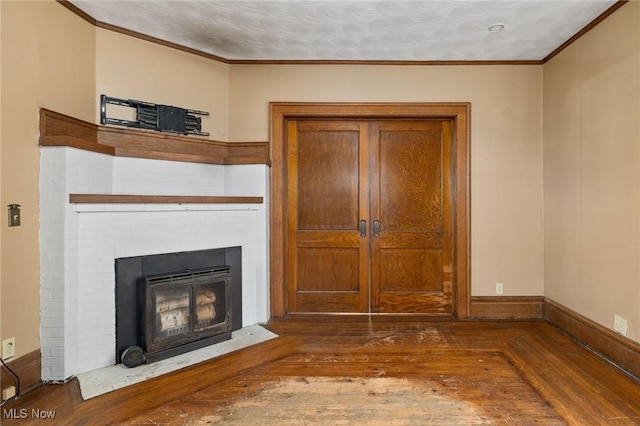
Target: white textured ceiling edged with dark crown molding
x,y
398,30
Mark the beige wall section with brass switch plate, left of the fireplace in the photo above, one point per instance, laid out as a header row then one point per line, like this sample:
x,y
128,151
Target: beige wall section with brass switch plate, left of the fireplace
x,y
47,61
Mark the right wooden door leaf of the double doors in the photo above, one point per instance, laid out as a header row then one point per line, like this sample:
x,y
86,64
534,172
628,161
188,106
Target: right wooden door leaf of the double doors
x,y
411,257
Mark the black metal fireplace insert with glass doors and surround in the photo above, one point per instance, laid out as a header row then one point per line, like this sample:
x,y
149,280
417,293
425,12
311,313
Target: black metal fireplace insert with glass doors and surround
x,y
172,303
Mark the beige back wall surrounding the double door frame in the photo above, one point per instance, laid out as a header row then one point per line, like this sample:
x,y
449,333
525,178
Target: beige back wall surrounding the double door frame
x,y
506,144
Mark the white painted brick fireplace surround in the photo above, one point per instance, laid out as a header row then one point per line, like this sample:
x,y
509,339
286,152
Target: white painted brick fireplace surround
x,y
80,242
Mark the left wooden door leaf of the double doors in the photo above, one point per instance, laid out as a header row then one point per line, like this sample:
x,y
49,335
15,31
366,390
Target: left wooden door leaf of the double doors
x,y
327,257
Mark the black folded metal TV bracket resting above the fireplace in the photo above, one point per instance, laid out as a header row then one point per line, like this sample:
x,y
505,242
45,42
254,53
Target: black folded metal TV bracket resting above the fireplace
x,y
162,118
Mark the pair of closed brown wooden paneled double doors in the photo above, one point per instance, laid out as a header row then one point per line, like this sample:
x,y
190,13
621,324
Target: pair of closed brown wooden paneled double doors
x,y
369,216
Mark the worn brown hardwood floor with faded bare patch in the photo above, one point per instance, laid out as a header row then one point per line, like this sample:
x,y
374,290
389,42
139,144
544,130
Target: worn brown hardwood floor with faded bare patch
x,y
354,371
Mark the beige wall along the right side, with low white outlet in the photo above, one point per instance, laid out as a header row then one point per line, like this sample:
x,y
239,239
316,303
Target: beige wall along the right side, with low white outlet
x,y
592,172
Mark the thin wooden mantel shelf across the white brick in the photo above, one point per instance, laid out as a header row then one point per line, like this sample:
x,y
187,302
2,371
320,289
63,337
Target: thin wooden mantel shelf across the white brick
x,y
160,199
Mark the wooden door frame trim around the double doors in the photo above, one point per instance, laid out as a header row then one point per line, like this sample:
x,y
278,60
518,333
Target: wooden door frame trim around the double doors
x,y
458,112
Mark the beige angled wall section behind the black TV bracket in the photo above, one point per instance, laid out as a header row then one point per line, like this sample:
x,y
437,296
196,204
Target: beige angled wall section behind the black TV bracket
x,y
130,68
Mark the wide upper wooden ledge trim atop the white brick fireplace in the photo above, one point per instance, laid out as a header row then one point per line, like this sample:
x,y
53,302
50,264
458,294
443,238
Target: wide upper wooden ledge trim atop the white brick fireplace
x,y
61,130
